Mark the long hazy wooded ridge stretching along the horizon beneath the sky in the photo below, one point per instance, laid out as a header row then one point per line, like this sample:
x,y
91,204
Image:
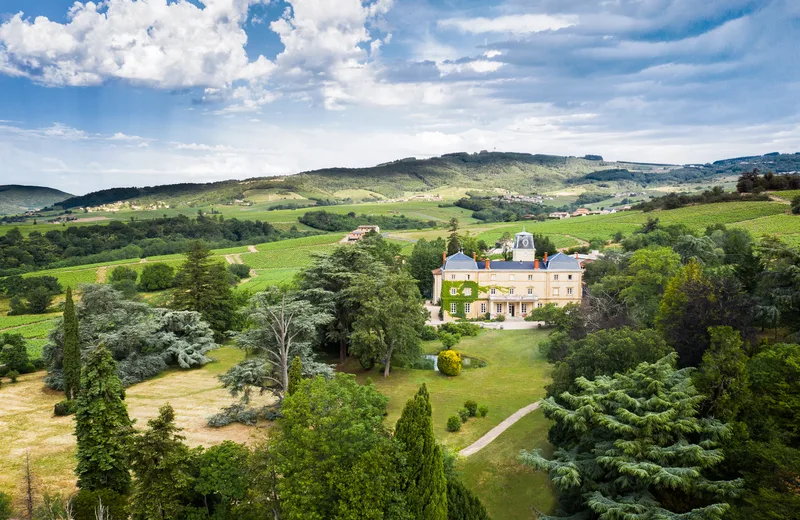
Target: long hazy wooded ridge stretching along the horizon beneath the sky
x,y
521,172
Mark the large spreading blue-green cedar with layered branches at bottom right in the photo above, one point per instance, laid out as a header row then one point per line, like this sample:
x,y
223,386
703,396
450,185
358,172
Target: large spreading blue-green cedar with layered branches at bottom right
x,y
634,447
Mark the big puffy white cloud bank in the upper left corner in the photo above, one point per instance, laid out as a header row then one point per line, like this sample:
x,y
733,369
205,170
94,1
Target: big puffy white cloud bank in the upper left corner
x,y
149,42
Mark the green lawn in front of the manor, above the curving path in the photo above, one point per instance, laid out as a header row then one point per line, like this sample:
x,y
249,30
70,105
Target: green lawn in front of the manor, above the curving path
x,y
514,377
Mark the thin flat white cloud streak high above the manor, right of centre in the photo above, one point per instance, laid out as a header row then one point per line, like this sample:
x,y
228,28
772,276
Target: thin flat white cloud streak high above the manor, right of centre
x,y
514,24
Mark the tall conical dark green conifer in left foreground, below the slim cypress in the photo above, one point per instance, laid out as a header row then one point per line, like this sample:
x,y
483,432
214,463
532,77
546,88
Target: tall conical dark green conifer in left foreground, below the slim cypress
x,y
102,426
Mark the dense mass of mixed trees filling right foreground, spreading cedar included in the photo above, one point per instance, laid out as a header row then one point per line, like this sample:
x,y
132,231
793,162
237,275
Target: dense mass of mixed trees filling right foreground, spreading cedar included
x,y
674,388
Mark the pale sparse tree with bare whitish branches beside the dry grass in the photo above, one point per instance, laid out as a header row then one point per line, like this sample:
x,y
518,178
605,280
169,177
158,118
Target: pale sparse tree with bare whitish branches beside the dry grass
x,y
283,328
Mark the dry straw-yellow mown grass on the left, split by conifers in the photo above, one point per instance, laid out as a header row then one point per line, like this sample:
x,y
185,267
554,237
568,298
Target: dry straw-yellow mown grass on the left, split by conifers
x,y
27,423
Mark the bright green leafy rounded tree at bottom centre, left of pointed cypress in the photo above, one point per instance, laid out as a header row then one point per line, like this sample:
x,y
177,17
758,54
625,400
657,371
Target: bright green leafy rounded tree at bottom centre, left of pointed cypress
x,y
335,456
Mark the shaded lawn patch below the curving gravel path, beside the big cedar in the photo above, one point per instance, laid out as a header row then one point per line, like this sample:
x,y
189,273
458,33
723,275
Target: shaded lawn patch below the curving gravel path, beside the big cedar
x,y
509,489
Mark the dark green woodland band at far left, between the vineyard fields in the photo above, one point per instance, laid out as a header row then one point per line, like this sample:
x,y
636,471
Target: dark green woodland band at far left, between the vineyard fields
x,y
76,245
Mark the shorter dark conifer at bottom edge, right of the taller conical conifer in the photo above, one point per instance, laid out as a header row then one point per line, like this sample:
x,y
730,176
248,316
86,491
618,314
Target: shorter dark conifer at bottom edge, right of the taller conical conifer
x,y
161,463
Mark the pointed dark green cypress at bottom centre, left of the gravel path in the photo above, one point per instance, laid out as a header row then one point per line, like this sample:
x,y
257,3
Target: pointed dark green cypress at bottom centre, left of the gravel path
x,y
425,486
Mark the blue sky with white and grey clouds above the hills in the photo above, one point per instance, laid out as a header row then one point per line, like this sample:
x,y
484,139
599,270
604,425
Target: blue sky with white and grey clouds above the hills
x,y
140,92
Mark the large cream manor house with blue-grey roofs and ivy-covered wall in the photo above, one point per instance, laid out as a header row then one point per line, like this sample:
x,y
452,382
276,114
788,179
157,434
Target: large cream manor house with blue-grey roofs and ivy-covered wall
x,y
469,288
